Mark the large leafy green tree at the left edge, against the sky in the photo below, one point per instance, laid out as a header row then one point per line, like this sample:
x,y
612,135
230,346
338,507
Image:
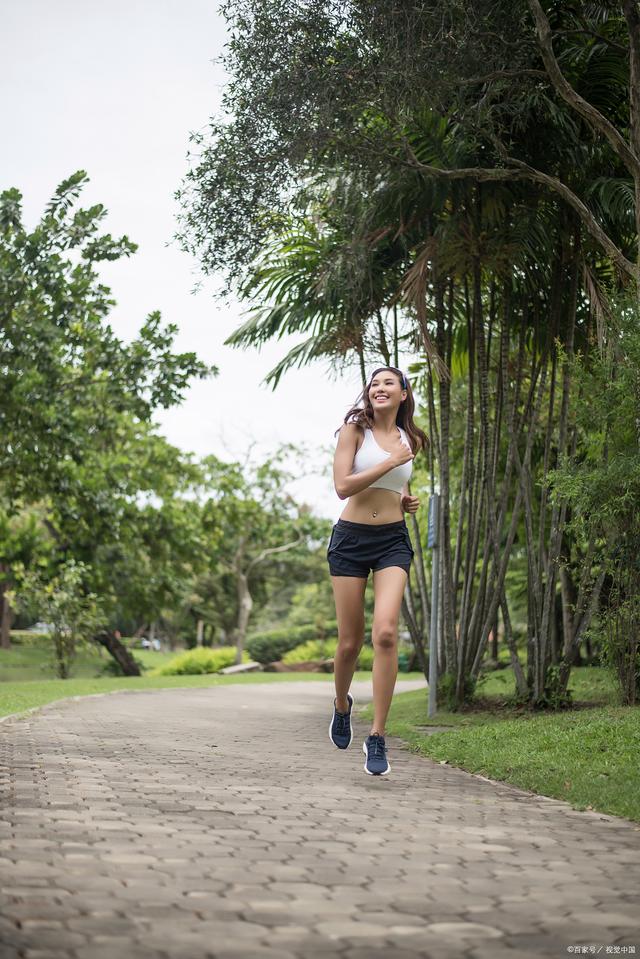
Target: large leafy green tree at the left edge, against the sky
x,y
76,403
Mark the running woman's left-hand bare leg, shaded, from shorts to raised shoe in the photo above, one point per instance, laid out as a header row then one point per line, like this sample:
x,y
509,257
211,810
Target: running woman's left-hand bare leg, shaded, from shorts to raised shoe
x,y
348,592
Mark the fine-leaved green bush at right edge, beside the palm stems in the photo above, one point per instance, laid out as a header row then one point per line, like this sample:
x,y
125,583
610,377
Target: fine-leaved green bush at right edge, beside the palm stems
x,y
601,485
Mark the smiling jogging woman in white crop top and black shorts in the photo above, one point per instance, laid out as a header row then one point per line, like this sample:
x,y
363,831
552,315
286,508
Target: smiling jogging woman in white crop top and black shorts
x,y
372,467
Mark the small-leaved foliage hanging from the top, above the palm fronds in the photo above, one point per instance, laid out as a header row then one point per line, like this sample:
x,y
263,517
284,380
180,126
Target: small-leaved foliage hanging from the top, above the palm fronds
x,y
328,86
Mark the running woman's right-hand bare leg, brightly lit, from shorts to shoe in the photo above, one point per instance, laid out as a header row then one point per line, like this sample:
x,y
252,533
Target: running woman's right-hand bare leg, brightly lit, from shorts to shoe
x,y
388,587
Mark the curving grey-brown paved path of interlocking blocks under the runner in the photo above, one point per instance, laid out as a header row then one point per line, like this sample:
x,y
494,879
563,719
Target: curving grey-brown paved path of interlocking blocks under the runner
x,y
222,823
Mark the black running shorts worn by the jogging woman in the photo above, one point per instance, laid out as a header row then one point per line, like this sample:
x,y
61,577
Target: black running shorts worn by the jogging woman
x,y
355,548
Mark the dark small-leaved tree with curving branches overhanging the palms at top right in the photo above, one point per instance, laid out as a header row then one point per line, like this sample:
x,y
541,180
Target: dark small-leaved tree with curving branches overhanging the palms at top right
x,y
320,85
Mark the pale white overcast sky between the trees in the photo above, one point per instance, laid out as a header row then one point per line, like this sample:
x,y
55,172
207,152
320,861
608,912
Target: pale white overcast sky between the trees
x,y
115,89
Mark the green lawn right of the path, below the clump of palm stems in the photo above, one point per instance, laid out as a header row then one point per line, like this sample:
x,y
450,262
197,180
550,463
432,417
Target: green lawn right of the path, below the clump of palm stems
x,y
586,756
